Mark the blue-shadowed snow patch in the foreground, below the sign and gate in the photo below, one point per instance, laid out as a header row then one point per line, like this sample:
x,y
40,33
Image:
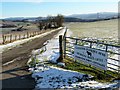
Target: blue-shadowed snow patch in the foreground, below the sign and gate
x,y
53,77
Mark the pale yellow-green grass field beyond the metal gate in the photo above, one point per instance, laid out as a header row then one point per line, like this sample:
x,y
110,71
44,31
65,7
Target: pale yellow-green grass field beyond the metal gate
x,y
100,29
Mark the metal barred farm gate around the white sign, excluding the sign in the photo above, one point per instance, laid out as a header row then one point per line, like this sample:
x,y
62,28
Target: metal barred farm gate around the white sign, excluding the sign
x,y
113,51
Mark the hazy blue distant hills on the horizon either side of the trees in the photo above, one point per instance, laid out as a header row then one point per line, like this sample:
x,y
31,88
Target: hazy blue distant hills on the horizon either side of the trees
x,y
73,18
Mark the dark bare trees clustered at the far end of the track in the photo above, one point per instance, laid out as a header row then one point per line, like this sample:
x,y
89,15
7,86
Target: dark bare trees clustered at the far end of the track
x,y
51,22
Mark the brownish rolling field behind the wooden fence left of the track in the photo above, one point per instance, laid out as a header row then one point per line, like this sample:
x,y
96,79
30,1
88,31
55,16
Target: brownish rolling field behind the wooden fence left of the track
x,y
28,27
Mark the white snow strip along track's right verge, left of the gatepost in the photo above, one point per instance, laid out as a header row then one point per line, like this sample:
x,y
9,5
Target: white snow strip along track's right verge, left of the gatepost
x,y
52,49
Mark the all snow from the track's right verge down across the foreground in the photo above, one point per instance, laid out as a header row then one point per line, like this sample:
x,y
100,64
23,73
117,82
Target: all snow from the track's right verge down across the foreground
x,y
53,77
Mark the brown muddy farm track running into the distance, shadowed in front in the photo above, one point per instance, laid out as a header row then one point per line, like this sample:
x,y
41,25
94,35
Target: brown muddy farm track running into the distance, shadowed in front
x,y
15,76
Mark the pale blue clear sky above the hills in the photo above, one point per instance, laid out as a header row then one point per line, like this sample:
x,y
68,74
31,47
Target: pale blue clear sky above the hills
x,y
40,8
